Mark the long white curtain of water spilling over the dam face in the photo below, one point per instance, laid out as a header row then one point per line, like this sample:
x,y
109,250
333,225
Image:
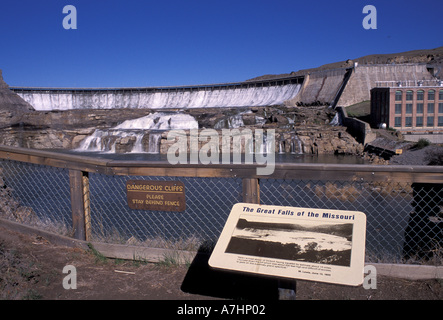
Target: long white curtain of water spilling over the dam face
x,y
203,98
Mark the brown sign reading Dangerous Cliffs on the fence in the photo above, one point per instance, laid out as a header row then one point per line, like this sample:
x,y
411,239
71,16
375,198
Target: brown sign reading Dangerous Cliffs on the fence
x,y
156,195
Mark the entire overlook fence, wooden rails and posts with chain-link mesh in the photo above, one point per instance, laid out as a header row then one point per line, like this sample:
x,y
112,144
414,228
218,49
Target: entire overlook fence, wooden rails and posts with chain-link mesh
x,y
87,198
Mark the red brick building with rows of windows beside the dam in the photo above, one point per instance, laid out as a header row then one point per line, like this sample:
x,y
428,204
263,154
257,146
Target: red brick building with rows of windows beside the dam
x,y
415,108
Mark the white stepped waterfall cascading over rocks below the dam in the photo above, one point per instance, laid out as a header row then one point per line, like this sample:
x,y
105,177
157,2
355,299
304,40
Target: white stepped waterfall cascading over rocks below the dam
x,y
131,135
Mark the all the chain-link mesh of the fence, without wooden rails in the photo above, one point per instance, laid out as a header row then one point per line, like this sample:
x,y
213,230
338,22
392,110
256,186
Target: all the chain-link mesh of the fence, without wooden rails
x,y
404,219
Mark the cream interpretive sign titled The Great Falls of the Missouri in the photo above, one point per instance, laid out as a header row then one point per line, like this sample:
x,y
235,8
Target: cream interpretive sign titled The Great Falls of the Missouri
x,y
289,242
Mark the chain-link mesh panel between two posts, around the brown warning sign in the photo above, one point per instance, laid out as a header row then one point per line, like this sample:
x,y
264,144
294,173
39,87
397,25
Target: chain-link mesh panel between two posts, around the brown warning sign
x,y
208,204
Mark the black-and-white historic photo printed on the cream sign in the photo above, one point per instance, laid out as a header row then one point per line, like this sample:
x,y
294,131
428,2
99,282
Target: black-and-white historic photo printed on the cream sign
x,y
303,241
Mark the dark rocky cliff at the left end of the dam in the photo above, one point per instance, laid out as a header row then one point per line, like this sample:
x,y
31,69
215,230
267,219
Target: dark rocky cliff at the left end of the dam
x,y
12,107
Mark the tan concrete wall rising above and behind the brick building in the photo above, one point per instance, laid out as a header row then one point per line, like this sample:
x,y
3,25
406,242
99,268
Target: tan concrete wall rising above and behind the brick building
x,y
364,78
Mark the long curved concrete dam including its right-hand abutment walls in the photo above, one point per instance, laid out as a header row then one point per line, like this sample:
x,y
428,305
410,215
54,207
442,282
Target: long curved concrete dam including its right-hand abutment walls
x,y
330,87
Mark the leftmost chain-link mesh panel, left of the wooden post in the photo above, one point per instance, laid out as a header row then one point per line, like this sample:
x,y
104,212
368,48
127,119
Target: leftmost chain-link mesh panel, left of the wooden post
x,y
36,195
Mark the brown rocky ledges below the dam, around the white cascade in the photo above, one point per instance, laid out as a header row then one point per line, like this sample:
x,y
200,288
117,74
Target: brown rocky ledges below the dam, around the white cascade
x,y
67,129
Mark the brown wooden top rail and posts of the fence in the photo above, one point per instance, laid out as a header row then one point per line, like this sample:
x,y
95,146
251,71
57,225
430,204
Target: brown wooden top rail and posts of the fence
x,y
80,166
